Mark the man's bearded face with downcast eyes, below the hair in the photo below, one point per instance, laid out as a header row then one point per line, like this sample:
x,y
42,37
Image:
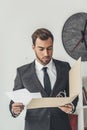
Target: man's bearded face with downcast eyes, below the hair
x,y
43,50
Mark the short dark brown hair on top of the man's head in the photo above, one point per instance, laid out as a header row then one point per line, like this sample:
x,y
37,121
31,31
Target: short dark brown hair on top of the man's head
x,y
42,34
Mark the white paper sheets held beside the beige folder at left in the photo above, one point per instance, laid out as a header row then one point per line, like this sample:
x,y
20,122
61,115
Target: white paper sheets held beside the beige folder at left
x,y
22,96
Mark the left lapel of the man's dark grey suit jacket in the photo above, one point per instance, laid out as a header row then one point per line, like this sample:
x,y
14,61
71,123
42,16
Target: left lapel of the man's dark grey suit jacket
x,y
33,83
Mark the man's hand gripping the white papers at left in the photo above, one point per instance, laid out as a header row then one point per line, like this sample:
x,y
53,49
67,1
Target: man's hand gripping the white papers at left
x,y
17,108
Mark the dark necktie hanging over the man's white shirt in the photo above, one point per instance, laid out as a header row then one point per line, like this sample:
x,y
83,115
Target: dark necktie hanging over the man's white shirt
x,y
47,84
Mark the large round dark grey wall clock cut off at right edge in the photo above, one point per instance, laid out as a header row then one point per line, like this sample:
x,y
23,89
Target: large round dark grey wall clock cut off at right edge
x,y
74,36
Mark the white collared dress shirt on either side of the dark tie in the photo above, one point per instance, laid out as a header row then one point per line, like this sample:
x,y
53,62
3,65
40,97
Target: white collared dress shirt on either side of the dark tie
x,y
51,70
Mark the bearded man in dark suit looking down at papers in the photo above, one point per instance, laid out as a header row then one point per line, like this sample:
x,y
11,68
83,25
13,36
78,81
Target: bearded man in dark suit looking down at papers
x,y
32,76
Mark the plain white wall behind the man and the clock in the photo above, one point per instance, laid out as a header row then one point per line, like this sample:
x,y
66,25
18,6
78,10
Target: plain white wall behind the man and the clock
x,y
18,20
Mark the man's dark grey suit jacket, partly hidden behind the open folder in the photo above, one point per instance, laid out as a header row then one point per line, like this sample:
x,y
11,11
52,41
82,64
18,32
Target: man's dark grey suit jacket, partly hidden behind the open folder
x,y
44,118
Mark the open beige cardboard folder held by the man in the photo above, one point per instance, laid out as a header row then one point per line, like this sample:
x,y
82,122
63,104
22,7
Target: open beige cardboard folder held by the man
x,y
74,87
